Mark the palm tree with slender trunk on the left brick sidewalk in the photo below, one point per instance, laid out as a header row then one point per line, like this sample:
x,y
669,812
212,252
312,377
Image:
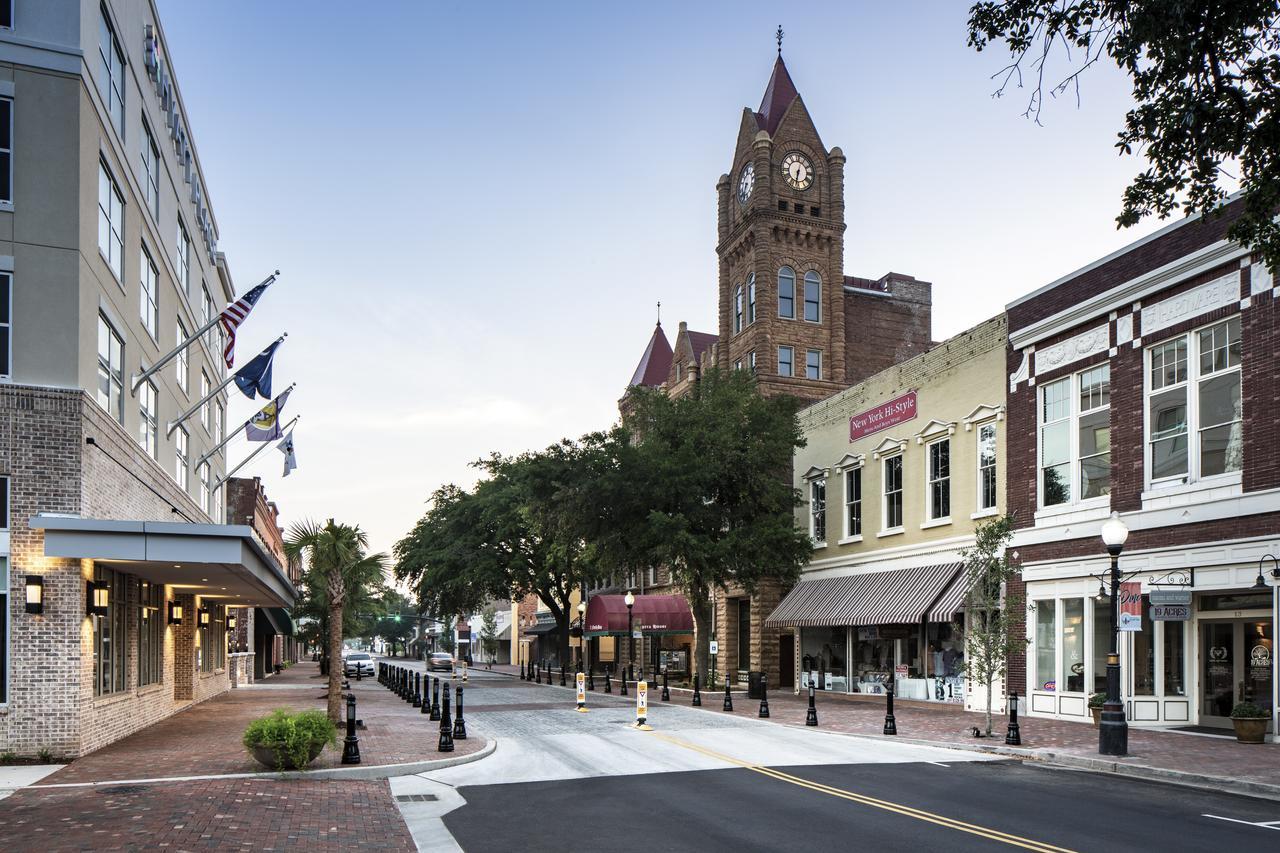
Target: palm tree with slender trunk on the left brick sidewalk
x,y
339,569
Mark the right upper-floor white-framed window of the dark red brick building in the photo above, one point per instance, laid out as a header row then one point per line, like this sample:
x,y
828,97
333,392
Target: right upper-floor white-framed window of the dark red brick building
x,y
1195,412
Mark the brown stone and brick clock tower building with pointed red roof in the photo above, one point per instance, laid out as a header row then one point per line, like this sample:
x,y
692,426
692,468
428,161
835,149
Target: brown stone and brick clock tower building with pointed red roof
x,y
788,312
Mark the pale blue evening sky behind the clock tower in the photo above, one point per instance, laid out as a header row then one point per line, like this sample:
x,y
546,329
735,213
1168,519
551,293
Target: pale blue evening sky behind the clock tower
x,y
476,206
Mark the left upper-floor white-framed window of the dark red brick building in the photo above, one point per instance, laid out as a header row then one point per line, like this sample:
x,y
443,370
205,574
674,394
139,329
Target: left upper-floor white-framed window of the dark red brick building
x,y
1076,437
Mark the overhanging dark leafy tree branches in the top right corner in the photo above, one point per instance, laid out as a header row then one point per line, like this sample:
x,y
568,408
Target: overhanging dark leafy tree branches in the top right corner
x,y
1205,84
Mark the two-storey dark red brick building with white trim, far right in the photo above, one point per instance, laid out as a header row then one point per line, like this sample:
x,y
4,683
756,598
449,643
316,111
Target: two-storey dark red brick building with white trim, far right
x,y
1148,385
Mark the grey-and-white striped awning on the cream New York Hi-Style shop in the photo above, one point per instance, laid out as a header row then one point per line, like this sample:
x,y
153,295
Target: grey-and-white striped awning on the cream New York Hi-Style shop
x,y
900,596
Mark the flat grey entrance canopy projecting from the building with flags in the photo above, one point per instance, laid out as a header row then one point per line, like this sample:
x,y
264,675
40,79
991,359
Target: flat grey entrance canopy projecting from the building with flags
x,y
222,562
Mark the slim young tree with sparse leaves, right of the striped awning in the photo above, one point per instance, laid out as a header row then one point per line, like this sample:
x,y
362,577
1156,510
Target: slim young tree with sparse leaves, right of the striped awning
x,y
990,632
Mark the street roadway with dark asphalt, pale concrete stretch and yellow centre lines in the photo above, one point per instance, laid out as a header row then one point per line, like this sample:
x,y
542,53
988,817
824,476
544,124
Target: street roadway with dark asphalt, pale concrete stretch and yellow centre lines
x,y
701,782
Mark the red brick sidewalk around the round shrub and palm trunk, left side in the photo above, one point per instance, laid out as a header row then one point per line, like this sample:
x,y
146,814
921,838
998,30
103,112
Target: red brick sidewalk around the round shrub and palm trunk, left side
x,y
205,740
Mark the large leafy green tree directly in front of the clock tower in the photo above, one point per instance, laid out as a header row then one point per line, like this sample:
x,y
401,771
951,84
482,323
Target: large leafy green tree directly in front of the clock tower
x,y
705,491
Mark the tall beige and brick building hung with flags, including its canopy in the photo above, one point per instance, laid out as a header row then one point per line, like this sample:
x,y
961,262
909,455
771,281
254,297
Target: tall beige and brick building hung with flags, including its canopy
x,y
117,567
